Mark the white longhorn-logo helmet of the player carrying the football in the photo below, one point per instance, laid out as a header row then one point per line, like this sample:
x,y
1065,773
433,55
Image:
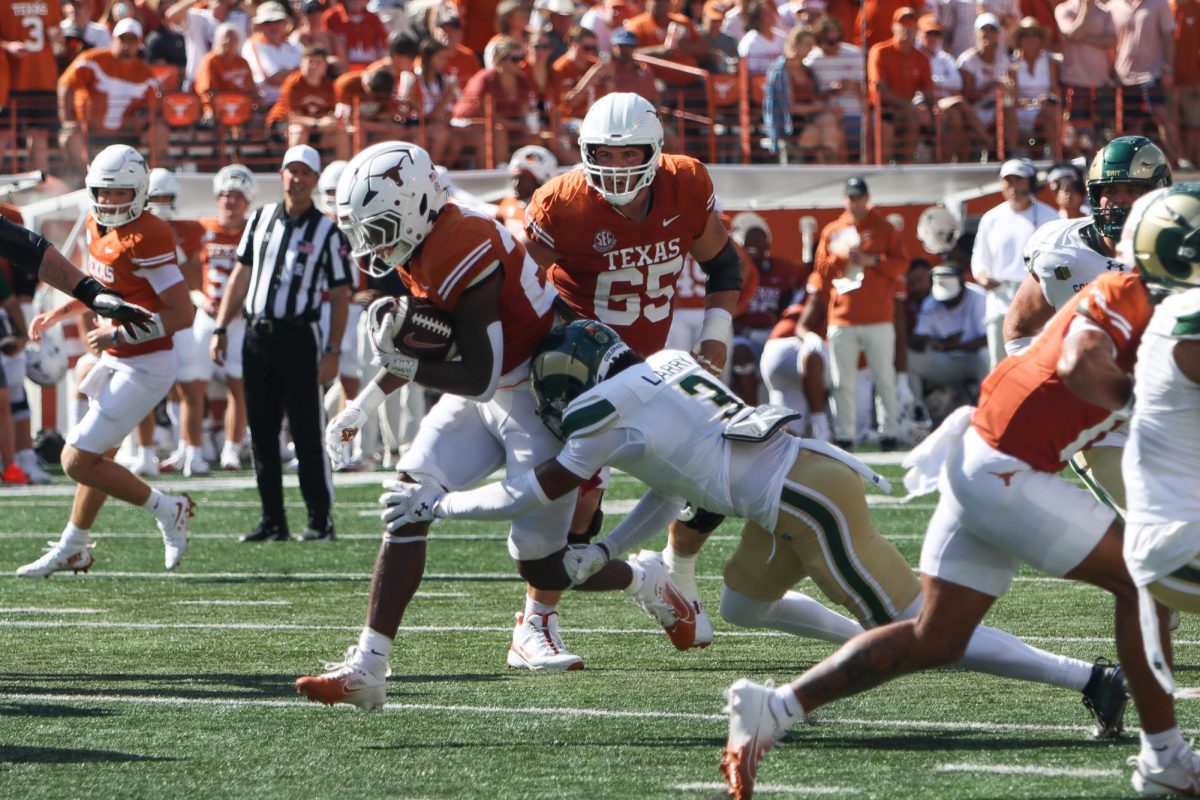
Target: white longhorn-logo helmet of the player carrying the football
x,y
388,200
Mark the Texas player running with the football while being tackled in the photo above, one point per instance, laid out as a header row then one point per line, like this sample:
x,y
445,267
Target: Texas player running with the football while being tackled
x,y
393,207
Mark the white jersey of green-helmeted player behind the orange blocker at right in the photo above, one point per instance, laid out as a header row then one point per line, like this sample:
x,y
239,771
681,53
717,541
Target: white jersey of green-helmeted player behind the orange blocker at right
x,y
1064,263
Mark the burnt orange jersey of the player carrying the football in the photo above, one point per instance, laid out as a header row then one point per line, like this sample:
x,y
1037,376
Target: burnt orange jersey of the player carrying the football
x,y
460,251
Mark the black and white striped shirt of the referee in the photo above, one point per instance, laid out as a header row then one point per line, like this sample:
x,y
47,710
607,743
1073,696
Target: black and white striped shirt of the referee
x,y
293,262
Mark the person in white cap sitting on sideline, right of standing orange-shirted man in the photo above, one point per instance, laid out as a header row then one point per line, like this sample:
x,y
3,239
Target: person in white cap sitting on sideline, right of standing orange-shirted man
x,y
947,350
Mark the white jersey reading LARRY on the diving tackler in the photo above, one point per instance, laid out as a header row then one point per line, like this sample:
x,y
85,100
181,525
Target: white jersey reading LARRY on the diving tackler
x,y
663,423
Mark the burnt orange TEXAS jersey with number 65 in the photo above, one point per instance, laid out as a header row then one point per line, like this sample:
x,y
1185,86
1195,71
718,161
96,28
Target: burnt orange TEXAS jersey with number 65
x,y
613,269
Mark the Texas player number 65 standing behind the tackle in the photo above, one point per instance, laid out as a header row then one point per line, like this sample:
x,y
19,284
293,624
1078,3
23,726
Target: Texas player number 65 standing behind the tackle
x,y
614,238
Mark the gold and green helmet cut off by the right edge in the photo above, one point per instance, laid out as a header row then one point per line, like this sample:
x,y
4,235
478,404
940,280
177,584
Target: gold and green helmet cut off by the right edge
x,y
1165,238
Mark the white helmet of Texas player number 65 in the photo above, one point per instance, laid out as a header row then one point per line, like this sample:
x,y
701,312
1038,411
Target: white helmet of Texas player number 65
x,y
621,121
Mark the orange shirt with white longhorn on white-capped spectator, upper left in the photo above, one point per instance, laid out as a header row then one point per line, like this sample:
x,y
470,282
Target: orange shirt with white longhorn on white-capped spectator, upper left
x,y
109,92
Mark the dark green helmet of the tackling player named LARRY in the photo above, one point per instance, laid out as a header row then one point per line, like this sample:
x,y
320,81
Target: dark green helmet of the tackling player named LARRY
x,y
574,358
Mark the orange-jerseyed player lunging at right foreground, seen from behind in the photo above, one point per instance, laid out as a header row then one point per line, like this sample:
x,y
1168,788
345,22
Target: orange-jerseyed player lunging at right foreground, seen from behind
x,y
1004,503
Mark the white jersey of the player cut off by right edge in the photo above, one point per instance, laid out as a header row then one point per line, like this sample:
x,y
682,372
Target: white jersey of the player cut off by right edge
x,y
1162,459
